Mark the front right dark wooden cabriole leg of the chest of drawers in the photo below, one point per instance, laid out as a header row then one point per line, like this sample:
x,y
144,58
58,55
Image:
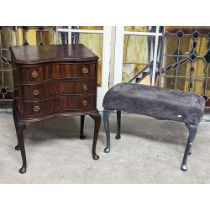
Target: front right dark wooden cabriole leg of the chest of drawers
x,y
97,120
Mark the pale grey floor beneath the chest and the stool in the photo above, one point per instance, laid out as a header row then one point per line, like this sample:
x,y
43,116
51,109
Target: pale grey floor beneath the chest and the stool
x,y
150,151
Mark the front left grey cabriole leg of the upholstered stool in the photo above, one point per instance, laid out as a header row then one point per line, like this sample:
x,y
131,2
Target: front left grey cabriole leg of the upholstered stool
x,y
106,114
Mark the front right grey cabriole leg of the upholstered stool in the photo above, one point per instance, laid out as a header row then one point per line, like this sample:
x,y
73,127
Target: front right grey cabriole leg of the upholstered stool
x,y
192,133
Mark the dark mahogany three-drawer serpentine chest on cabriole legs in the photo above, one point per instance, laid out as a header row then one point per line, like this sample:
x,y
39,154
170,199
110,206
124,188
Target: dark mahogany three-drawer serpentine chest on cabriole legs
x,y
50,81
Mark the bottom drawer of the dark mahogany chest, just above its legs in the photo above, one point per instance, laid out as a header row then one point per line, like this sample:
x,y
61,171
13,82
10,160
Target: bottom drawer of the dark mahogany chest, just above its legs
x,y
41,108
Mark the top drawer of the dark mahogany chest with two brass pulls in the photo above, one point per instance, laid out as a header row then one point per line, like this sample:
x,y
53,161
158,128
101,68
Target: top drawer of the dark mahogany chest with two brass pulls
x,y
55,71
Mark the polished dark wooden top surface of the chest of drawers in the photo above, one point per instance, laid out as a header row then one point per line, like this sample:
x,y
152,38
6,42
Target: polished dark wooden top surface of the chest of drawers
x,y
52,53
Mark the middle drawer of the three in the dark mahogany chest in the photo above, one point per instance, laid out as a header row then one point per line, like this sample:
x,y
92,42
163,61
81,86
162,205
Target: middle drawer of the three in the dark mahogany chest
x,y
57,87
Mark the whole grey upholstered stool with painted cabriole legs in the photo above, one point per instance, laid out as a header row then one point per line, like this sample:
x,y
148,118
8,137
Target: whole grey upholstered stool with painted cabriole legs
x,y
156,102
